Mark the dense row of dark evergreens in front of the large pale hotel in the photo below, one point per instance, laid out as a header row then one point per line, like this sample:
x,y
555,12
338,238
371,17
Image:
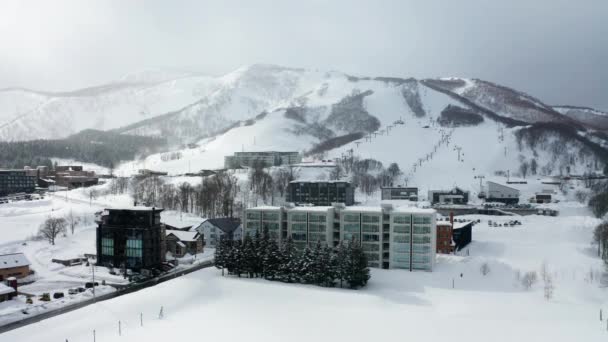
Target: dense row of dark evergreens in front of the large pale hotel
x,y
262,257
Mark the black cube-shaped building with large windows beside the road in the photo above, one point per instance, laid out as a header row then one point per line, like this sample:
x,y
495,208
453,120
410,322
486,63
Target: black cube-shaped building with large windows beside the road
x,y
131,238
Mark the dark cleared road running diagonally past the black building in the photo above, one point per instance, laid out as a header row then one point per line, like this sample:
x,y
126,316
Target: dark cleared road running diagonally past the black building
x,y
134,288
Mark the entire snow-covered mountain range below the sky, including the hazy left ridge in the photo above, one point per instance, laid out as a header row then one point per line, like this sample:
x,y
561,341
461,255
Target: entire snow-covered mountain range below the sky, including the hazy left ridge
x,y
323,113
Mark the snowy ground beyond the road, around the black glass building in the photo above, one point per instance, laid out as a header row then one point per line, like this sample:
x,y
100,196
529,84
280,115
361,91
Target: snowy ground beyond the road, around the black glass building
x,y
19,222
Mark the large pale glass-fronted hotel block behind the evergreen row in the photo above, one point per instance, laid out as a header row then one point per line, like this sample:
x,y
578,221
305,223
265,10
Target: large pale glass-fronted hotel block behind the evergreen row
x,y
392,236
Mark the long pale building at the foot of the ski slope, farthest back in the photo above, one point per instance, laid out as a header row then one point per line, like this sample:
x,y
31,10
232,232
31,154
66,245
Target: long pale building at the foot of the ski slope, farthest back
x,y
265,158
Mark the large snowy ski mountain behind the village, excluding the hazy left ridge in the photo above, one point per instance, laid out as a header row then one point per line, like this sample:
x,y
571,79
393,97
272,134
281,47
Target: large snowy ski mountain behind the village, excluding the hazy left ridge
x,y
331,114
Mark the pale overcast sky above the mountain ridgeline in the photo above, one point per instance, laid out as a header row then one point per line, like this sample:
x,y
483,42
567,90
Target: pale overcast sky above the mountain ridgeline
x,y
556,50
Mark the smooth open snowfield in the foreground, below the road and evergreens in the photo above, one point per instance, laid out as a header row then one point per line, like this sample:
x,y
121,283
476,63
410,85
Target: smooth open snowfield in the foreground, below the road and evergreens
x,y
395,305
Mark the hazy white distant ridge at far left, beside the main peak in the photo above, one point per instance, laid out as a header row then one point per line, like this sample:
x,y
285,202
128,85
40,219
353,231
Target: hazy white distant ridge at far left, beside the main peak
x,y
27,114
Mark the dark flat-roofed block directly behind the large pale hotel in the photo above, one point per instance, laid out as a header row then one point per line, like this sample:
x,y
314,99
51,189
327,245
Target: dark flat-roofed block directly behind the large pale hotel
x,y
320,193
